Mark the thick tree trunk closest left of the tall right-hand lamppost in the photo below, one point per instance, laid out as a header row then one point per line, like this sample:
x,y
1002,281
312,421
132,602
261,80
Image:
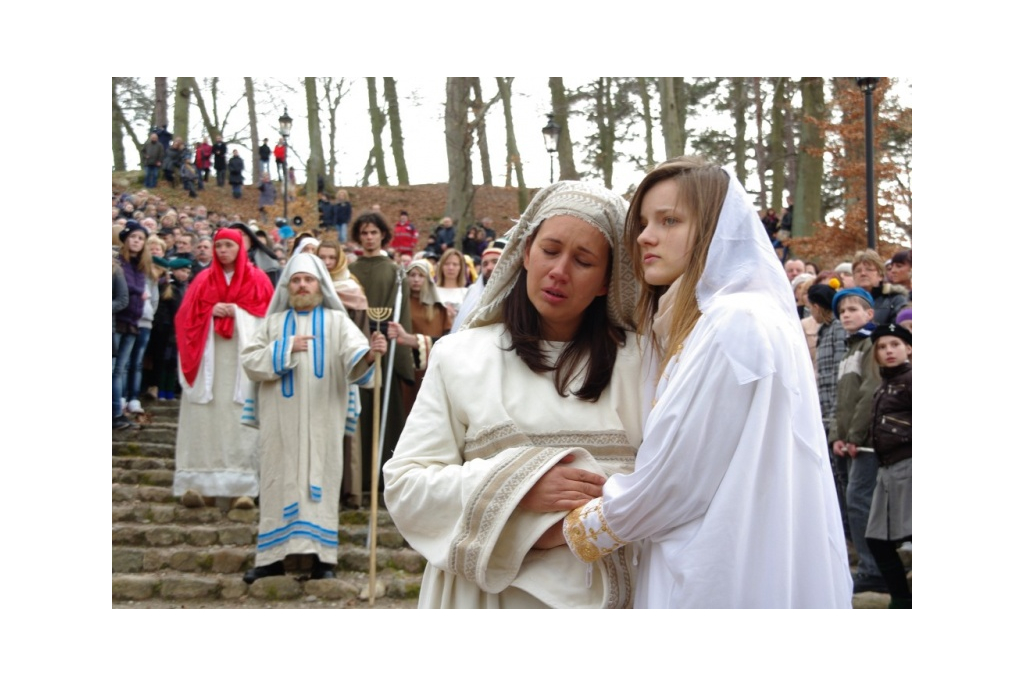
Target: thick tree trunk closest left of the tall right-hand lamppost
x,y
810,166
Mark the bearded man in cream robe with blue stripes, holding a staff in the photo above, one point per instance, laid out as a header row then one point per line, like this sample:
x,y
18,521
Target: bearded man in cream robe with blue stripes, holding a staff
x,y
304,357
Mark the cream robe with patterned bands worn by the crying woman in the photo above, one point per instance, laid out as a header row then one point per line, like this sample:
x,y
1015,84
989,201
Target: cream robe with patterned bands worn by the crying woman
x,y
484,431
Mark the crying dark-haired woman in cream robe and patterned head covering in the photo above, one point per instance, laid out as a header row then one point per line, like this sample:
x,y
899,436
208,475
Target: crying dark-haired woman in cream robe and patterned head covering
x,y
524,413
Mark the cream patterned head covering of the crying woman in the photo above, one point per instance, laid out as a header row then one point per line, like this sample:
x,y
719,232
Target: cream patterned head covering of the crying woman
x,y
594,204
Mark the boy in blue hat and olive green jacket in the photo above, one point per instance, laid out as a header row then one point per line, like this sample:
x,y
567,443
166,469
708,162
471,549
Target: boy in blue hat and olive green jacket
x,y
857,381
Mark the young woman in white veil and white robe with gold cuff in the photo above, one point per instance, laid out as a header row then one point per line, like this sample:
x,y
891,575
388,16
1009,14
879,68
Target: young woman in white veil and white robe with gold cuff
x,y
733,493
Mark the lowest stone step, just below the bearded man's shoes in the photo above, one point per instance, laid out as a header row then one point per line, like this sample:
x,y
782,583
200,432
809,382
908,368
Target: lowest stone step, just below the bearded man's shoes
x,y
401,588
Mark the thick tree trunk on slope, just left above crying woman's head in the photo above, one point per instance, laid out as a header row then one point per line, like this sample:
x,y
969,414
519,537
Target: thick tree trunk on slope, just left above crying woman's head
x,y
459,141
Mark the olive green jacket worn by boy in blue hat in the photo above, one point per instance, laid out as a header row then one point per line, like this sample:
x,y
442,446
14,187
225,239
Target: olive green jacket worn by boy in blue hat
x,y
858,378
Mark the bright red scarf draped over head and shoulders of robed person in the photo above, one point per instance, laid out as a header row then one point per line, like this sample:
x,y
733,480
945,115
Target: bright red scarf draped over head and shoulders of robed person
x,y
250,289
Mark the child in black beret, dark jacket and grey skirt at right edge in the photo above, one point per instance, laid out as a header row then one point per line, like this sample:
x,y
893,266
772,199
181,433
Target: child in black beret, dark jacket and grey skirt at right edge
x,y
890,523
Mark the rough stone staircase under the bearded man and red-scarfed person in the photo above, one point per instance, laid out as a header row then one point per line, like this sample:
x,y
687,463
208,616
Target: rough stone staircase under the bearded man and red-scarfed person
x,y
167,555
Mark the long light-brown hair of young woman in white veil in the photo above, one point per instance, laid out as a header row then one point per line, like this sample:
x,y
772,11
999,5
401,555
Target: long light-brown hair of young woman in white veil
x,y
702,190
